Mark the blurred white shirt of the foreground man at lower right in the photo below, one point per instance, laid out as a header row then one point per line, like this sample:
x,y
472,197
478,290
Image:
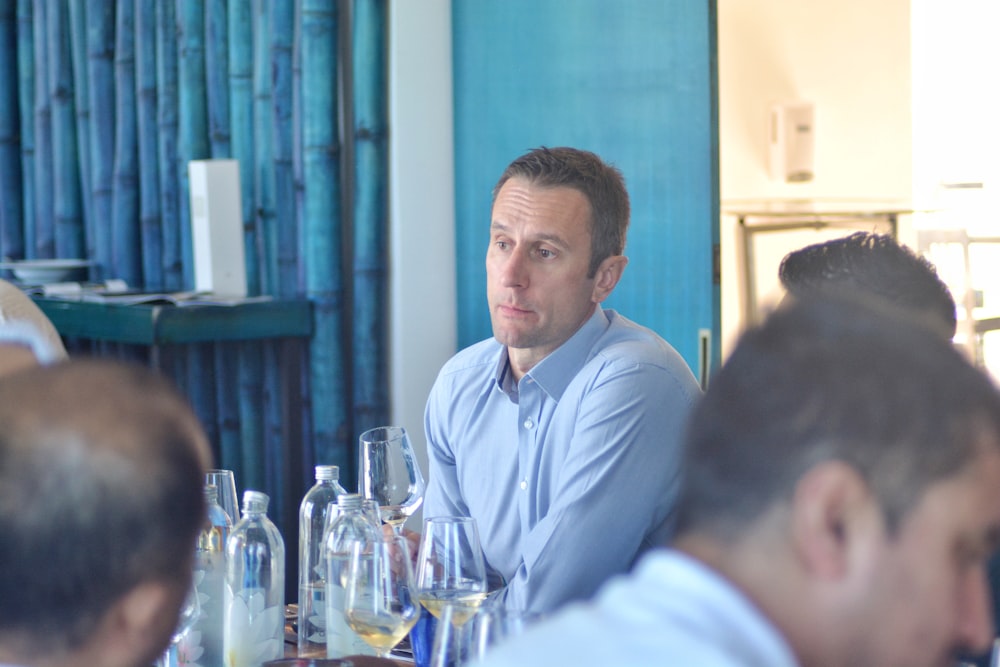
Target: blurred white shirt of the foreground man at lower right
x,y
673,610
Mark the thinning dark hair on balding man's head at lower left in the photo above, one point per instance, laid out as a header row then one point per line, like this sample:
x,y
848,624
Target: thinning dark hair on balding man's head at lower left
x,y
101,475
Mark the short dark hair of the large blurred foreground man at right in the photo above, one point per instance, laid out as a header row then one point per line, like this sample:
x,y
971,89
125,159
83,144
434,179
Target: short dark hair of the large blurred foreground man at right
x,y
832,378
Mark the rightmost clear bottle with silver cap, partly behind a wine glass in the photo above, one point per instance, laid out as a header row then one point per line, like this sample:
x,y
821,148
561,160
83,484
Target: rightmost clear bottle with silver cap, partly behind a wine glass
x,y
347,526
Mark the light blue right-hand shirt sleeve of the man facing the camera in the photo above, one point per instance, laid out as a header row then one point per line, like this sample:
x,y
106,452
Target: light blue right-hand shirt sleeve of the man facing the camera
x,y
616,489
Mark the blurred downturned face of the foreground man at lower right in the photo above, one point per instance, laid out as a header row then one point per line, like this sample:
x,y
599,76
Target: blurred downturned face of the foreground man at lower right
x,y
929,598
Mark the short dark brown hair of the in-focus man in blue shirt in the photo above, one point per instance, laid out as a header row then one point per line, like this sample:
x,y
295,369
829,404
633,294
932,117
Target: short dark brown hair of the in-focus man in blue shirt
x,y
602,184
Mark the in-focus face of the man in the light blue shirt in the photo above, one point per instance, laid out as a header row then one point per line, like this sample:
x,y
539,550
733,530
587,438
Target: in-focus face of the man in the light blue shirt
x,y
536,269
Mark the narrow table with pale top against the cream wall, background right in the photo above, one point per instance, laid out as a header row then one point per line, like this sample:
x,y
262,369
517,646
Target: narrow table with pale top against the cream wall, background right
x,y
768,216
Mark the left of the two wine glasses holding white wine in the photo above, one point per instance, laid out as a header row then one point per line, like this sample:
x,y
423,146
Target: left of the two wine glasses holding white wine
x,y
381,607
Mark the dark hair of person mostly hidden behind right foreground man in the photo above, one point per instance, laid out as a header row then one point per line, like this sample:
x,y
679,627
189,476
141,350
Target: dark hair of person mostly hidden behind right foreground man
x,y
876,264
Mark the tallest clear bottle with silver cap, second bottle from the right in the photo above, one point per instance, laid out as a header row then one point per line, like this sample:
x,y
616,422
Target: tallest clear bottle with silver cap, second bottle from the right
x,y
313,514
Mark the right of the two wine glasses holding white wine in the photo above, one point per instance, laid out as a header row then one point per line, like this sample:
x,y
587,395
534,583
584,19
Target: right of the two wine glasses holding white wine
x,y
450,567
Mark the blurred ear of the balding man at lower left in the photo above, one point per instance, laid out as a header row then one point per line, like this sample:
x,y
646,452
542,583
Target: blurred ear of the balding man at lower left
x,y
138,626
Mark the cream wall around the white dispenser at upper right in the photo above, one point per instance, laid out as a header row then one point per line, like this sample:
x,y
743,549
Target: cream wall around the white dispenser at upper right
x,y
851,59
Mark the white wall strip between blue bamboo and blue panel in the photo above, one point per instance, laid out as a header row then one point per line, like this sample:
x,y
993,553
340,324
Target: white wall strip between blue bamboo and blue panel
x,y
422,208
